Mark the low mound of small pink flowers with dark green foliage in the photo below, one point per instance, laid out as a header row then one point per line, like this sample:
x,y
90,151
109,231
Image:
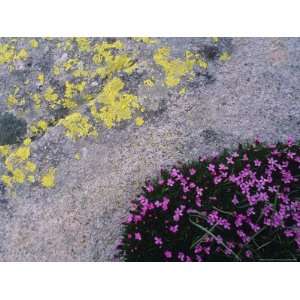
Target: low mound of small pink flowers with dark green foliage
x,y
227,205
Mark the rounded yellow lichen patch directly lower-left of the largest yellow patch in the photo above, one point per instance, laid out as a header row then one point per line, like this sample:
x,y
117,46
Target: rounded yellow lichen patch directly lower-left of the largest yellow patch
x,y
77,126
